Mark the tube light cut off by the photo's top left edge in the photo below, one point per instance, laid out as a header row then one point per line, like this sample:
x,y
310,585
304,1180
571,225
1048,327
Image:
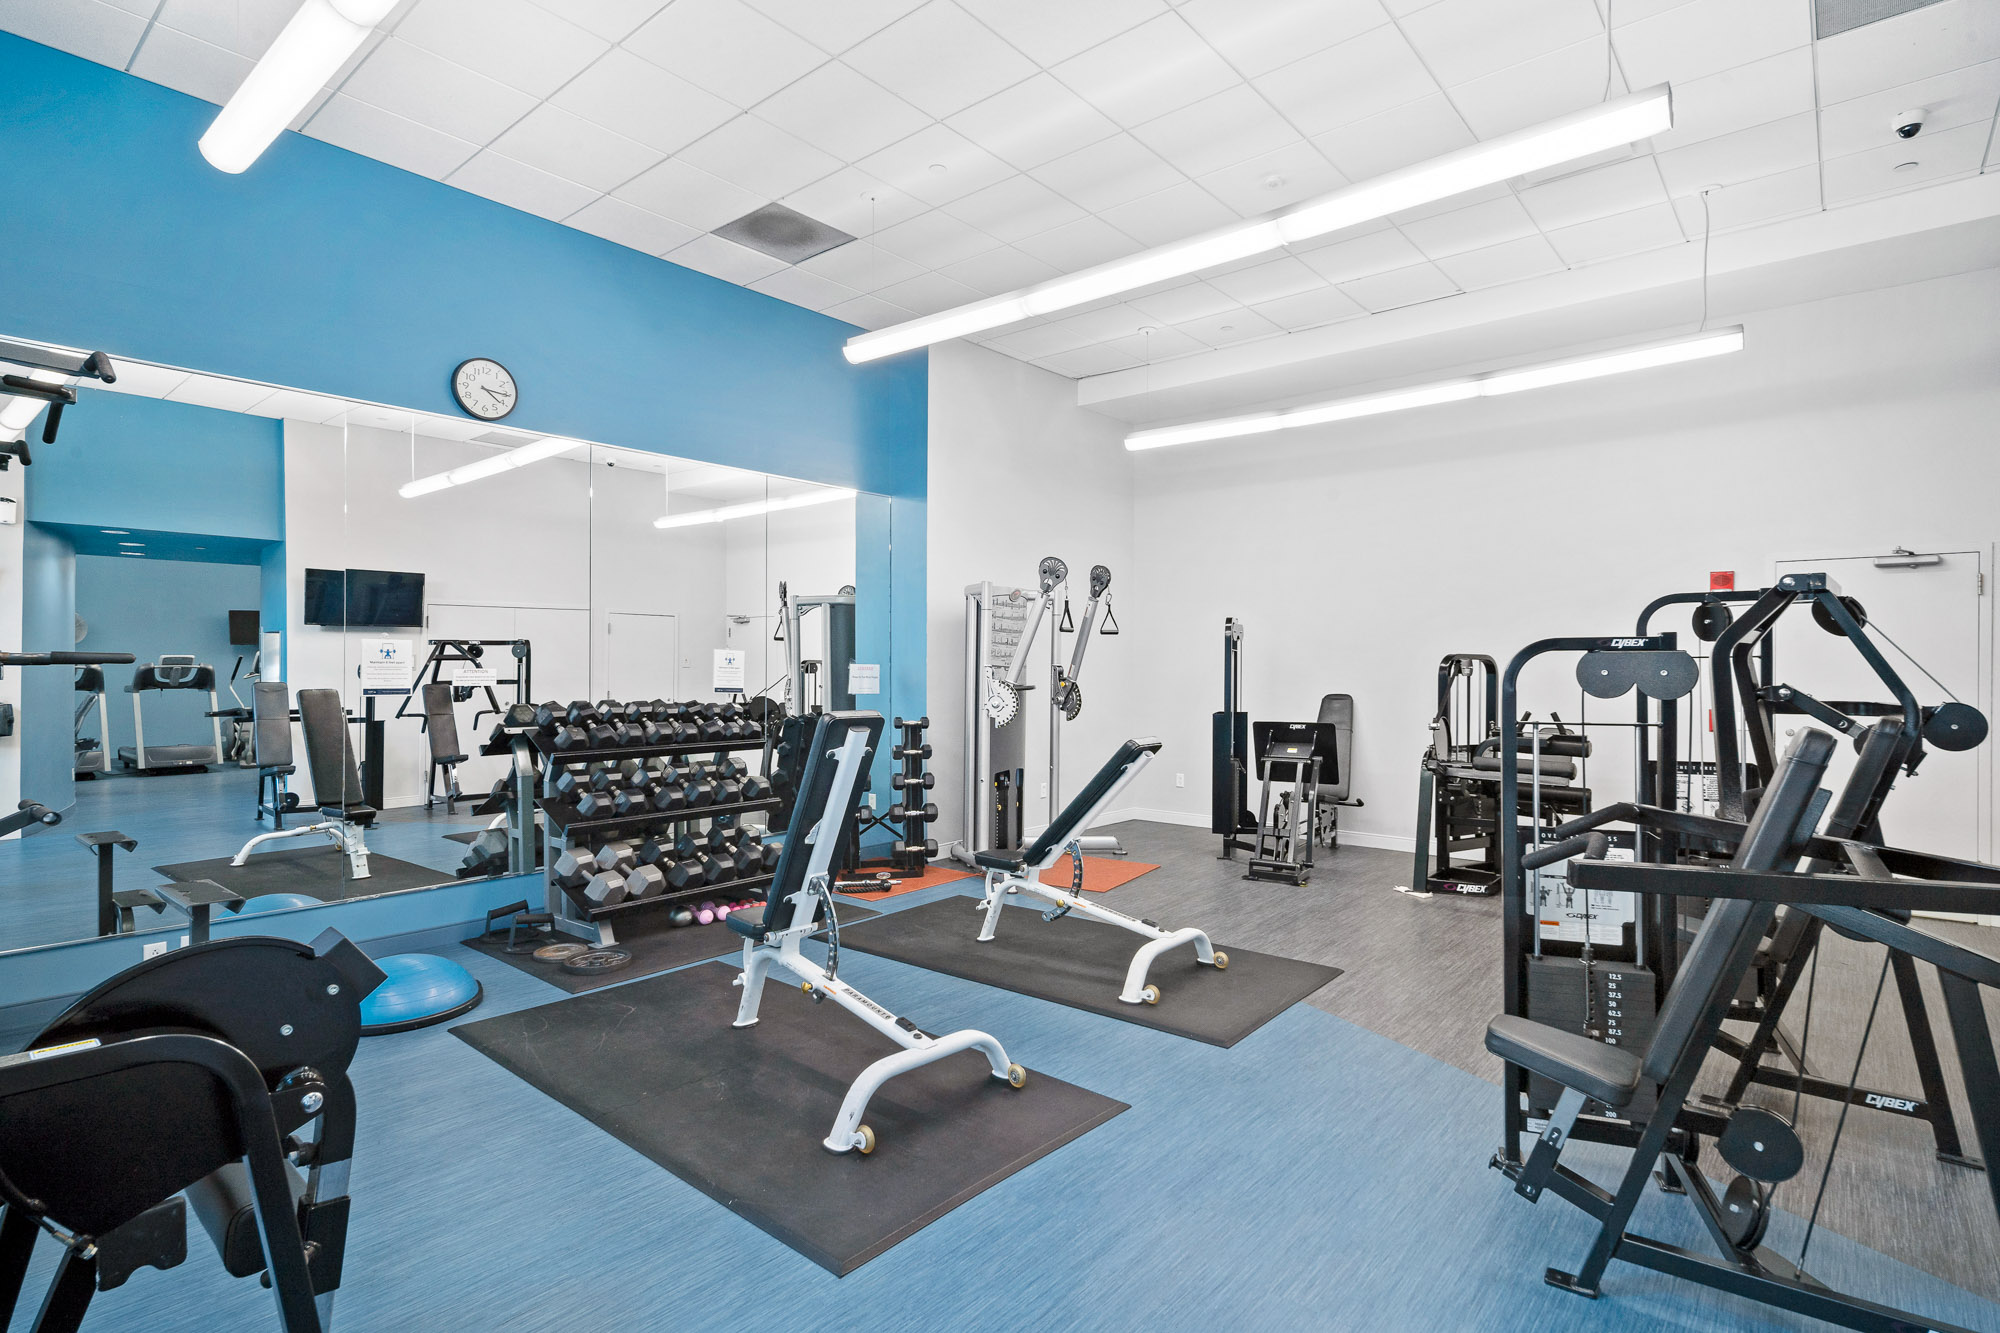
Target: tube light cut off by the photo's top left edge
x,y
299,63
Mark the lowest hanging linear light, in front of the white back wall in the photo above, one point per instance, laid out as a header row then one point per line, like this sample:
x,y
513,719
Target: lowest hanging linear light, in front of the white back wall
x,y
1491,385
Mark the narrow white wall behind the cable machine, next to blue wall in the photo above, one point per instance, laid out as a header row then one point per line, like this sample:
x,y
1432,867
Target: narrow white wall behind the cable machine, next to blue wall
x,y
1019,473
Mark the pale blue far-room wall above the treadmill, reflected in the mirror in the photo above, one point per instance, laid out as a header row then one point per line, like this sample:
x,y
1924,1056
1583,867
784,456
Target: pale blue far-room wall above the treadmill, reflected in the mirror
x,y
151,607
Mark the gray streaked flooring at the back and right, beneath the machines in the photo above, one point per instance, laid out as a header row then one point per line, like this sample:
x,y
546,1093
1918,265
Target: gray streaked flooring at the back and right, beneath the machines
x,y
1427,974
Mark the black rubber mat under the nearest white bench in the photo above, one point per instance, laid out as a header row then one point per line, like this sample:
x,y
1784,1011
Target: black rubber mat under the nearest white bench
x,y
739,1114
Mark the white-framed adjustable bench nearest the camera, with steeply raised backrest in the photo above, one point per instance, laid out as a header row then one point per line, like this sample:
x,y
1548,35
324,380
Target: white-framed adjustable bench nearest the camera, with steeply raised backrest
x,y
839,752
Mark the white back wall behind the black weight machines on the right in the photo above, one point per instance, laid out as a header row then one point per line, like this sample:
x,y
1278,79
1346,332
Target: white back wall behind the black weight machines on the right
x,y
1361,553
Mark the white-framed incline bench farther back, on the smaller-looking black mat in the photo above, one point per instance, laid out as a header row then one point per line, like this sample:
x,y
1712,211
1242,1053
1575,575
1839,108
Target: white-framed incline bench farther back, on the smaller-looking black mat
x,y
1025,876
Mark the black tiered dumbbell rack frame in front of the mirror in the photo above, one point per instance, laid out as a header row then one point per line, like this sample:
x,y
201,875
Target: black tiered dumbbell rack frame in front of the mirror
x,y
563,824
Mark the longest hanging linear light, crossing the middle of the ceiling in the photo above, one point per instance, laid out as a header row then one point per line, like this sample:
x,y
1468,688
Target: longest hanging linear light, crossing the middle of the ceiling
x,y
1609,125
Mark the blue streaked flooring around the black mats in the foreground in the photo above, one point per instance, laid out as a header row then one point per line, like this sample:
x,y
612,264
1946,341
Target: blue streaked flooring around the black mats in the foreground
x,y
1311,1178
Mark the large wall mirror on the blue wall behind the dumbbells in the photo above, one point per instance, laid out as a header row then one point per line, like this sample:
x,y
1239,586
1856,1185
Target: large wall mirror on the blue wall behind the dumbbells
x,y
331,611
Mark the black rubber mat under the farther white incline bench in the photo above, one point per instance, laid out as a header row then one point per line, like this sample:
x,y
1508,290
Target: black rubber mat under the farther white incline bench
x,y
1083,964
